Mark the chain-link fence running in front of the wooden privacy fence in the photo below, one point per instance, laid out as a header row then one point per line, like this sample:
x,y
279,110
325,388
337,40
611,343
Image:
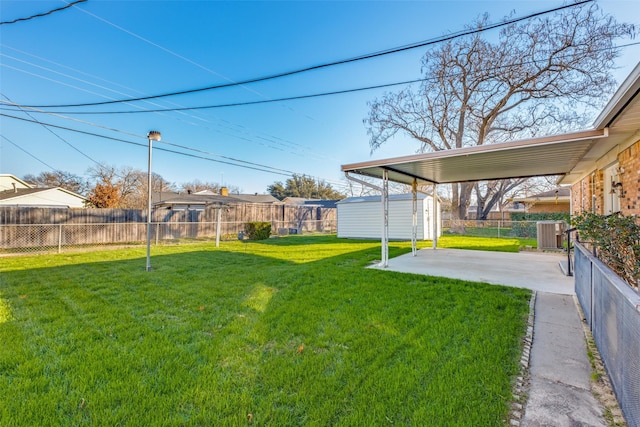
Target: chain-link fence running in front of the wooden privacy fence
x,y
38,238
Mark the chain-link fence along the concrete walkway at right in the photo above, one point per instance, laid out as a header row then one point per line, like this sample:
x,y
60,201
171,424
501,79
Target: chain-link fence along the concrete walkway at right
x,y
612,310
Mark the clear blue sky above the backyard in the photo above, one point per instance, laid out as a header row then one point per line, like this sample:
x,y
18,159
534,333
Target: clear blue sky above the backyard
x,y
102,50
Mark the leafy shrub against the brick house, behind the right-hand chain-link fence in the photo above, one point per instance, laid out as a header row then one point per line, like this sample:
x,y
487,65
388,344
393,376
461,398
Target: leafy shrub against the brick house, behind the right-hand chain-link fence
x,y
617,240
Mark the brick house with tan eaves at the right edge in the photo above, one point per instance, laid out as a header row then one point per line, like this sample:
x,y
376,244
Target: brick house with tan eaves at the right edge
x,y
607,180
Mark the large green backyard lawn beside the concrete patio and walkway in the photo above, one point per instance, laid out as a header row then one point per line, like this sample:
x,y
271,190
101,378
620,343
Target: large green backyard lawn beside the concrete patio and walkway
x,y
289,331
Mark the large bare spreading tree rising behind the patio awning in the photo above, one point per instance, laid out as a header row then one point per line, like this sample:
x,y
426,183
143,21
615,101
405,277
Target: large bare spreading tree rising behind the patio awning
x,y
535,78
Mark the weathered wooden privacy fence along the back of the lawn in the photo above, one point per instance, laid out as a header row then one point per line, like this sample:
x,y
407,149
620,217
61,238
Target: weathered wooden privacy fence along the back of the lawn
x,y
43,228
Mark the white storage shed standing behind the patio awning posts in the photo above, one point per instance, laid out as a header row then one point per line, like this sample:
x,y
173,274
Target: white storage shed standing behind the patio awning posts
x,y
361,217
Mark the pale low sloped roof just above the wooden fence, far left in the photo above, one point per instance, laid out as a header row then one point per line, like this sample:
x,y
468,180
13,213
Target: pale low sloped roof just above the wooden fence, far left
x,y
42,197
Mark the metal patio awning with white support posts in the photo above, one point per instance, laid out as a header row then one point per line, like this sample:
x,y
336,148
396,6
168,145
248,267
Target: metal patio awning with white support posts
x,y
553,155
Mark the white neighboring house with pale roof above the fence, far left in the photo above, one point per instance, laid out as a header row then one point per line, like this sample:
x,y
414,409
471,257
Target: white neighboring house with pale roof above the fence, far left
x,y
15,192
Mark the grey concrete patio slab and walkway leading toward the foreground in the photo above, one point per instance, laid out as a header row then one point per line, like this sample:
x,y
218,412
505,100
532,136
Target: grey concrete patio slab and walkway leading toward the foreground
x,y
560,372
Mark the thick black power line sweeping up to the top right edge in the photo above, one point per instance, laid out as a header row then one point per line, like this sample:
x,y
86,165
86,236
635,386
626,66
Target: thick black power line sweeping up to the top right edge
x,y
329,64
